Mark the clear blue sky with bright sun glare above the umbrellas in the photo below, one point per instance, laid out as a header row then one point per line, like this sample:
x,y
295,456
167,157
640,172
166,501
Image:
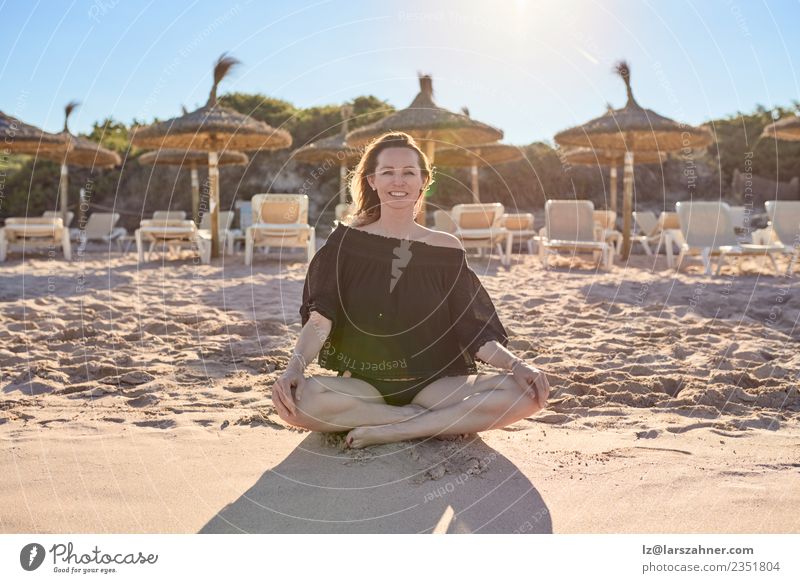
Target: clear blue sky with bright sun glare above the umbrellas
x,y
530,67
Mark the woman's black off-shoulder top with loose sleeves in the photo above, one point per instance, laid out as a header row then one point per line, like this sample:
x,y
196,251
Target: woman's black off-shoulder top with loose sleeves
x,y
400,308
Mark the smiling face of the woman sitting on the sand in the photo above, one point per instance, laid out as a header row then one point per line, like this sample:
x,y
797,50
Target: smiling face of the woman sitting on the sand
x,y
398,177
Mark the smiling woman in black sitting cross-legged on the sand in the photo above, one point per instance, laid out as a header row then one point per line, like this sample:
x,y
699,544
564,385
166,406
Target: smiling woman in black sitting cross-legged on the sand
x,y
394,308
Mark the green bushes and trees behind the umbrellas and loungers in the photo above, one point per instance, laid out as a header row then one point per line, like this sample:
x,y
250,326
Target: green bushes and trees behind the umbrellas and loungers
x,y
31,186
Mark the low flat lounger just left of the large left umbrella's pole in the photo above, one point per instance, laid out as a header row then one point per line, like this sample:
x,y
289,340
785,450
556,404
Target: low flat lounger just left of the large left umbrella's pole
x,y
172,235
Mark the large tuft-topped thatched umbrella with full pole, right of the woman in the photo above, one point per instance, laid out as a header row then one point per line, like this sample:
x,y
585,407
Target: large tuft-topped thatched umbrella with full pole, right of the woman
x,y
633,129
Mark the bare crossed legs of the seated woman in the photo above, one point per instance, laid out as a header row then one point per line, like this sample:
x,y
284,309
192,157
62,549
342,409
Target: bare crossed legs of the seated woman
x,y
449,405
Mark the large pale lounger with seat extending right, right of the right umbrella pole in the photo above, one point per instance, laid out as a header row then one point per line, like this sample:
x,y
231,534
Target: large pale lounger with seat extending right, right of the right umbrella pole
x,y
707,231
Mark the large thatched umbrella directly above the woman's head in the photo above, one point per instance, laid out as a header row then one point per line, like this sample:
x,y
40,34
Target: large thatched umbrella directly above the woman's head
x,y
432,126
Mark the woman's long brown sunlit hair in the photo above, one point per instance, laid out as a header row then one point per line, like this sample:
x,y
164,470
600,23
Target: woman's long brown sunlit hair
x,y
366,203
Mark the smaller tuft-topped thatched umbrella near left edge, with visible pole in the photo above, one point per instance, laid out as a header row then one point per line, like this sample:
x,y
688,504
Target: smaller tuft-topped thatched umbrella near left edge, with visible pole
x,y
76,151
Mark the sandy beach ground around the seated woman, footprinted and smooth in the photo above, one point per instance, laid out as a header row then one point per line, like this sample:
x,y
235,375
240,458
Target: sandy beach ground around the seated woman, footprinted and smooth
x,y
136,399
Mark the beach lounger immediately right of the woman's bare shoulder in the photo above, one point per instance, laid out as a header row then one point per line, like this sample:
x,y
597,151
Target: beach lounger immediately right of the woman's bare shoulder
x,y
477,225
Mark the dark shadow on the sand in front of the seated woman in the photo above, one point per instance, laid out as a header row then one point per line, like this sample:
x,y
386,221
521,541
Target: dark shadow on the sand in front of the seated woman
x,y
459,486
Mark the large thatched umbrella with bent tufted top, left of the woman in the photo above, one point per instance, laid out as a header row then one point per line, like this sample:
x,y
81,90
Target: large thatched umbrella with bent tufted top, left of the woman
x,y
213,129
